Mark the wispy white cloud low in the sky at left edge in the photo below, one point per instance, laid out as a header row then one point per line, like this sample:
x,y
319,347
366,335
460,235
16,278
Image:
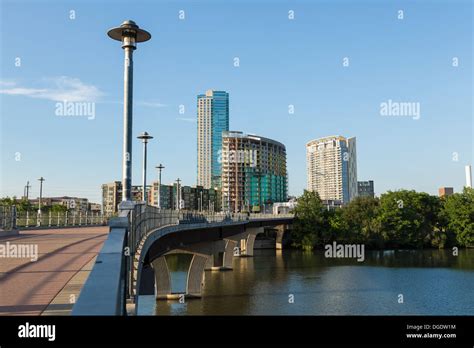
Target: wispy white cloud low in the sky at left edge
x,y
61,88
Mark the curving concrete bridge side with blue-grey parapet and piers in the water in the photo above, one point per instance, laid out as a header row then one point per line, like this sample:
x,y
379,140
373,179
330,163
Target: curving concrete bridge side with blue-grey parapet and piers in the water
x,y
133,259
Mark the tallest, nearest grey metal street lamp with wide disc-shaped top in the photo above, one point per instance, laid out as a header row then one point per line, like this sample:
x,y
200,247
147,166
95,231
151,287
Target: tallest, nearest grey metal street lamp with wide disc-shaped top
x,y
129,34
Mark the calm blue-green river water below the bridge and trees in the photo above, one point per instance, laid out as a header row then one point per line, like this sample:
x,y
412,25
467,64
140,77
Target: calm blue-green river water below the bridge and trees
x,y
292,282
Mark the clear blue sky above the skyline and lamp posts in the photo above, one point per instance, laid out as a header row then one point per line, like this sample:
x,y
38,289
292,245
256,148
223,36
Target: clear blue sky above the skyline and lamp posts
x,y
282,62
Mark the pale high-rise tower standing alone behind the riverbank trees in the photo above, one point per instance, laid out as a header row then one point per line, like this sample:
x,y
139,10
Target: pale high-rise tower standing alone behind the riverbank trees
x,y
332,168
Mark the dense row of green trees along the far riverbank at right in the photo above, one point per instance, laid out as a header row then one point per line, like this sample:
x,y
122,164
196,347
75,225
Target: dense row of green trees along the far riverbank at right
x,y
398,219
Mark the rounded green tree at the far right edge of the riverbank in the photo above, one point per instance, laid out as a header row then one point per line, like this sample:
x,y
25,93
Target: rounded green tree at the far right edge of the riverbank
x,y
458,214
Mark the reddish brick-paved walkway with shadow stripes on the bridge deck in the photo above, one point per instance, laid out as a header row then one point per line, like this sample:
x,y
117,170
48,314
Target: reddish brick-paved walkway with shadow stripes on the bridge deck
x,y
26,287
